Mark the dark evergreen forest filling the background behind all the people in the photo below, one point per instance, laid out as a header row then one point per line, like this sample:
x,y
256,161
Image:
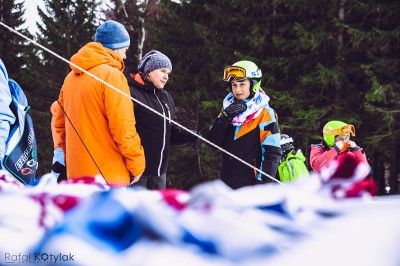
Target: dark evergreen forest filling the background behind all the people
x,y
321,60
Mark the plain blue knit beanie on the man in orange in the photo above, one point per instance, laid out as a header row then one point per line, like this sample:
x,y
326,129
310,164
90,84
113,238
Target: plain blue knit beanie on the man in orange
x,y
113,35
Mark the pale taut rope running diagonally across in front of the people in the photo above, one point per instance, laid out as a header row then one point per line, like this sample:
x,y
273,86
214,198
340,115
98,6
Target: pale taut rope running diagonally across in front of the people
x,y
138,102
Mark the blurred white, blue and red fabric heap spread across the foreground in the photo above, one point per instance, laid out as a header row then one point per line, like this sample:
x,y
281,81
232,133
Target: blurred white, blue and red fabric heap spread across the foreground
x,y
323,219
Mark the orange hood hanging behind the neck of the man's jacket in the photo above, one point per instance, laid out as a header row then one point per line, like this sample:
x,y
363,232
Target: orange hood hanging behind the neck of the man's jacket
x,y
94,54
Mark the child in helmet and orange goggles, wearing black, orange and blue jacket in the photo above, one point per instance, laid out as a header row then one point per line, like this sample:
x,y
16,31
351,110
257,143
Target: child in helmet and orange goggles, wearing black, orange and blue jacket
x,y
246,127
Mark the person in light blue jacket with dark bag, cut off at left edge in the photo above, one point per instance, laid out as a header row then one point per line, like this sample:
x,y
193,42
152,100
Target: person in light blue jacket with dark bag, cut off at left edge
x,y
18,148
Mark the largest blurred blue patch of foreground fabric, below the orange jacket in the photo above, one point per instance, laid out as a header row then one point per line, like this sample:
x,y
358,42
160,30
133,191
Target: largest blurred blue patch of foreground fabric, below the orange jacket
x,y
102,222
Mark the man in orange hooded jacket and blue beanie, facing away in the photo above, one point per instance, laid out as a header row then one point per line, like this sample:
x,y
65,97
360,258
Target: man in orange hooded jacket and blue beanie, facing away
x,y
96,124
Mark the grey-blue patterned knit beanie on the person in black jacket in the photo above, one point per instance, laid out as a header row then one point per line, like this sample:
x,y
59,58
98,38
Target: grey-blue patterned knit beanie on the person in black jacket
x,y
154,60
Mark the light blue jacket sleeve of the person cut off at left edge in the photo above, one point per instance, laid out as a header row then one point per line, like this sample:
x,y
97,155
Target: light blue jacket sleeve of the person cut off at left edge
x,y
7,118
